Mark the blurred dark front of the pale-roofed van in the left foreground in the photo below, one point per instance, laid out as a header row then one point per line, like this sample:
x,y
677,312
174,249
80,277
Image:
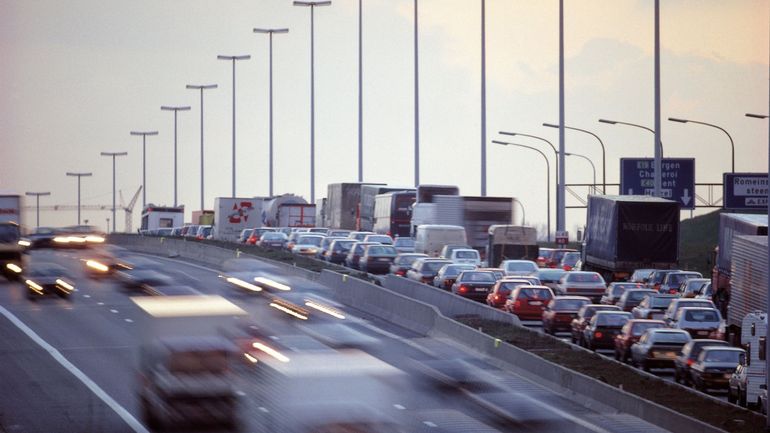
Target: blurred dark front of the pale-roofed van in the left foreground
x,y
187,381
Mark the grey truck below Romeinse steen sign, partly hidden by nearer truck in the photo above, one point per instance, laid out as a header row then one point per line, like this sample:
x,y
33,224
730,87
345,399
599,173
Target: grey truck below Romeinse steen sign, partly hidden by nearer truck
x,y
730,226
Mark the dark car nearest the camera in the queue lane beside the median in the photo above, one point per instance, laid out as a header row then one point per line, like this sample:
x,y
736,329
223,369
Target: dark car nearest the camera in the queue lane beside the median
x,y
714,367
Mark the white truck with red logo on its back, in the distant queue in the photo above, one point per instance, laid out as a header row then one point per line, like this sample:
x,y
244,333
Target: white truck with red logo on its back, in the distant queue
x,y
232,215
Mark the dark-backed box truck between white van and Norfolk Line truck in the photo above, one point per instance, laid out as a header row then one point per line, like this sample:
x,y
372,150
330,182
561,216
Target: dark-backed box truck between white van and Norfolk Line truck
x,y
510,242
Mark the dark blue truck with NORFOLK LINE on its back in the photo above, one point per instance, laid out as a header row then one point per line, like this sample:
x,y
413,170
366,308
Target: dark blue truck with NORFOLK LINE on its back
x,y
628,232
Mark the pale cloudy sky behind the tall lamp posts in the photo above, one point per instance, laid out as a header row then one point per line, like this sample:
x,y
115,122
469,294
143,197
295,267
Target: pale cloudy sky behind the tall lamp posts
x,y
79,75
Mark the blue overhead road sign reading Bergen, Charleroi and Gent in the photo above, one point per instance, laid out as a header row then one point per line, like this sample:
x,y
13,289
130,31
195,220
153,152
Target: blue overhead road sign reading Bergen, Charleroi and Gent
x,y
637,177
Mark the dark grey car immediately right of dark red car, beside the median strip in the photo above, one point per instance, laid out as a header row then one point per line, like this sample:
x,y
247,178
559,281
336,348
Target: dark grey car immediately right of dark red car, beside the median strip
x,y
658,348
